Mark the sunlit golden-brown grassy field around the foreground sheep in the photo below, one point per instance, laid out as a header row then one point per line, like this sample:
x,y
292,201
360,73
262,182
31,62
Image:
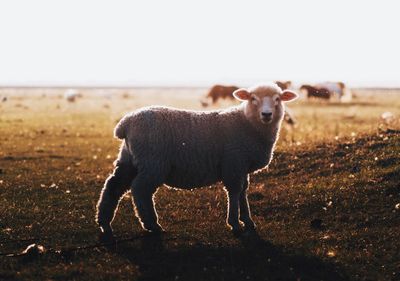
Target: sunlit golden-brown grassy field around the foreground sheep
x,y
327,209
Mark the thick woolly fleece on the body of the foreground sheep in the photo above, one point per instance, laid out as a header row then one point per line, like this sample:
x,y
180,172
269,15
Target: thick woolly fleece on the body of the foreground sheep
x,y
188,149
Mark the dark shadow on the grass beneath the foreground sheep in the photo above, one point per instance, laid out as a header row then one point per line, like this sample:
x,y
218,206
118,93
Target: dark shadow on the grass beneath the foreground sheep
x,y
253,259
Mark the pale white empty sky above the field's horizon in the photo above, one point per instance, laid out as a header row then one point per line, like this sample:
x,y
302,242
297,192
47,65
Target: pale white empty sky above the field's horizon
x,y
156,43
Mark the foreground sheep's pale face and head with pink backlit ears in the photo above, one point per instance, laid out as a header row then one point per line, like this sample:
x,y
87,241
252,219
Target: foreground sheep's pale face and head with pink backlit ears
x,y
265,102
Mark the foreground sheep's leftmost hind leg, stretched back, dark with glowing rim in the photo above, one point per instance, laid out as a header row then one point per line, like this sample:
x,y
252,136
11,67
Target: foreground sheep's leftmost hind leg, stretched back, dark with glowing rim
x,y
116,185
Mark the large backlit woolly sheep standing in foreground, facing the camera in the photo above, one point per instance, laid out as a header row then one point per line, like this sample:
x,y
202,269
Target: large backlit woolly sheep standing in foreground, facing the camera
x,y
190,149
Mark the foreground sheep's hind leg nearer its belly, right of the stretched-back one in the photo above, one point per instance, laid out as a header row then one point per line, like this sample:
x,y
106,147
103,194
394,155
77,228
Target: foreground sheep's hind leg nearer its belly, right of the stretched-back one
x,y
143,191
